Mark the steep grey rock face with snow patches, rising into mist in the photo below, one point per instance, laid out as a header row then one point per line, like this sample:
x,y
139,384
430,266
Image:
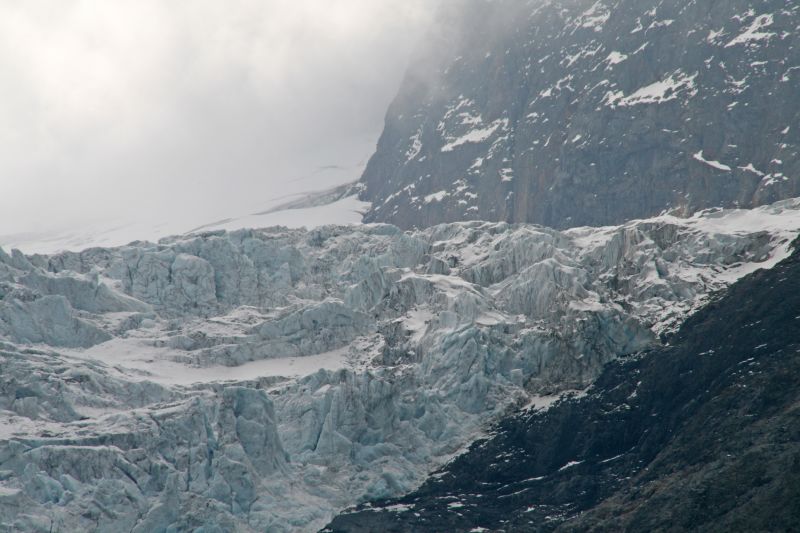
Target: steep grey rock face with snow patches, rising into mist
x,y
584,112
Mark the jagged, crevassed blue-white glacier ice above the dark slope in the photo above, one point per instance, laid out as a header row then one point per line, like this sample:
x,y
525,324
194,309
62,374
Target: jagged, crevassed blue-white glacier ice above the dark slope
x,y
264,379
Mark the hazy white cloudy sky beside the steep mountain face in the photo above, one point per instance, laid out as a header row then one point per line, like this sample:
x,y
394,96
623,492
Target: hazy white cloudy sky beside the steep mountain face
x,y
140,108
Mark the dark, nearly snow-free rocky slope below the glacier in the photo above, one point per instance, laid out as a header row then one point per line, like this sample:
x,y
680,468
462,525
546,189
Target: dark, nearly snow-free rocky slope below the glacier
x,y
702,434
